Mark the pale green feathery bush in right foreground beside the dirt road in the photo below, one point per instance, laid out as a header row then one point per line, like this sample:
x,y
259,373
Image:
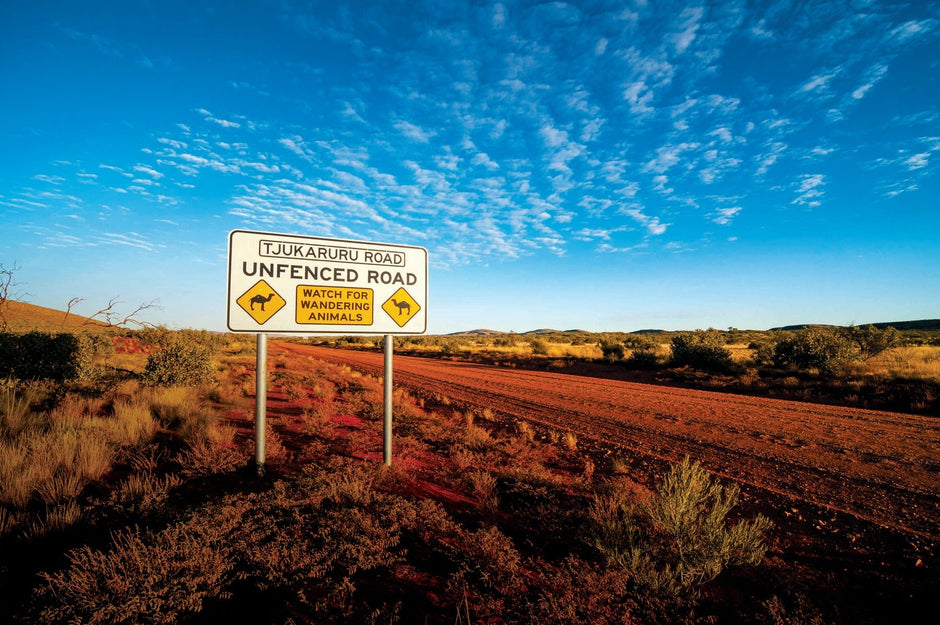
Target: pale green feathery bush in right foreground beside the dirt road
x,y
680,538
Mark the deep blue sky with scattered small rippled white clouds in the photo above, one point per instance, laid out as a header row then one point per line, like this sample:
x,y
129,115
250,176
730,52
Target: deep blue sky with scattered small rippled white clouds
x,y
596,165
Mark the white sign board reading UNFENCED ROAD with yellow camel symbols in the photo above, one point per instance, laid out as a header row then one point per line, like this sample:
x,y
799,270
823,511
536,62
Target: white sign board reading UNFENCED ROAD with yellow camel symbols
x,y
309,285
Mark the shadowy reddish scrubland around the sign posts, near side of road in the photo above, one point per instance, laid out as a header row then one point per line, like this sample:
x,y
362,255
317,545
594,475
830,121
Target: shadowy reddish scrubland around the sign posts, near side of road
x,y
125,497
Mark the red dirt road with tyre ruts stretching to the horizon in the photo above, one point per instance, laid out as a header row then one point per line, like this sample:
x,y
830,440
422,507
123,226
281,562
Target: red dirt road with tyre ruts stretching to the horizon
x,y
883,467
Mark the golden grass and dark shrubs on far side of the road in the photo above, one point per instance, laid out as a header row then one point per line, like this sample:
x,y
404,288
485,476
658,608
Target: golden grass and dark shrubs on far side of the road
x,y
865,366
